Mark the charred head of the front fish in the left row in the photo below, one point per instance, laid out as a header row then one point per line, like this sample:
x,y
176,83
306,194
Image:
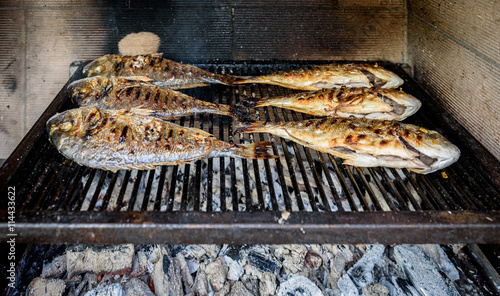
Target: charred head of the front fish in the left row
x,y
72,124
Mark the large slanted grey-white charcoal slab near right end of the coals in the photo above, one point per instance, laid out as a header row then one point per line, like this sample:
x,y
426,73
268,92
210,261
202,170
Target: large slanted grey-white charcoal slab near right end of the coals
x,y
423,273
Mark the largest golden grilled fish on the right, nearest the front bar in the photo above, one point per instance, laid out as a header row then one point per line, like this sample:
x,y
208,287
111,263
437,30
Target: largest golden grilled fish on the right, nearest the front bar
x,y
367,143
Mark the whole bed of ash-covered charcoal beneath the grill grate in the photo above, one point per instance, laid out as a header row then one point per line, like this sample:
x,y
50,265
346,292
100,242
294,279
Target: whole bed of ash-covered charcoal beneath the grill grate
x,y
315,269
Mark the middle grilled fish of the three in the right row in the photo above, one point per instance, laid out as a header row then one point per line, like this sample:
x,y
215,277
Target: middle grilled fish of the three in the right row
x,y
370,103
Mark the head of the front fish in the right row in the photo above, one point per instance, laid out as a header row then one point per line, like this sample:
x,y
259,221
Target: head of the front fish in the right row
x,y
435,152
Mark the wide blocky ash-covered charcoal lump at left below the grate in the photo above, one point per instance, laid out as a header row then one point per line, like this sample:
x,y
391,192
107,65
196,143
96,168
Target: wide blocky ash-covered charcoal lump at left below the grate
x,y
113,259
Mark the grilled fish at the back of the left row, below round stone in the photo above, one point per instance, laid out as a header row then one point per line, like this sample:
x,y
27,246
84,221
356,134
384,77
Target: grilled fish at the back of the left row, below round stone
x,y
156,69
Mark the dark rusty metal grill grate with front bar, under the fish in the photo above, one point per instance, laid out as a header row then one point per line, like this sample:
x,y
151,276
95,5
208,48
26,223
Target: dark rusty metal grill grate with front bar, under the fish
x,y
227,200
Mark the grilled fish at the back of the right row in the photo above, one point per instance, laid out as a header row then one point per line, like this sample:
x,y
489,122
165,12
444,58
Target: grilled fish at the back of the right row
x,y
329,76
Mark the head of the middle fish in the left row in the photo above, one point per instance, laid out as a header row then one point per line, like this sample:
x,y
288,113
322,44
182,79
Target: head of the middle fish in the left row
x,y
87,91
